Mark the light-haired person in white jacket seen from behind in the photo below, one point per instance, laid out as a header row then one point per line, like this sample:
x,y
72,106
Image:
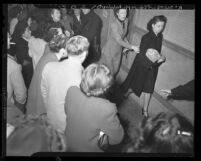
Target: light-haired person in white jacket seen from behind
x,y
57,77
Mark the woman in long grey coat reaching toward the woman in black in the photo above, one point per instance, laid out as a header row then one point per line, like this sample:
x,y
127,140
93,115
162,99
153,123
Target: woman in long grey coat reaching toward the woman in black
x,y
111,52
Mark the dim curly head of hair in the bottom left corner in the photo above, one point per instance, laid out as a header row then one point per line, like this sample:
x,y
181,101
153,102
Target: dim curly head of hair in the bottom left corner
x,y
31,131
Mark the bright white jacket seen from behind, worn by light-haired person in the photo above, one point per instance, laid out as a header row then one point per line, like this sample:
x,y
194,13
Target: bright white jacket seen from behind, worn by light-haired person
x,y
57,77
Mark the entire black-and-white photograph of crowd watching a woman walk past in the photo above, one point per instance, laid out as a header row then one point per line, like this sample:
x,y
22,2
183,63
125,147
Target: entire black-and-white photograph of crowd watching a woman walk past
x,y
101,79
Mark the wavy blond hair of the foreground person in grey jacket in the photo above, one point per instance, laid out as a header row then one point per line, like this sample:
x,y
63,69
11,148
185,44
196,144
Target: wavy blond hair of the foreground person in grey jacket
x,y
96,80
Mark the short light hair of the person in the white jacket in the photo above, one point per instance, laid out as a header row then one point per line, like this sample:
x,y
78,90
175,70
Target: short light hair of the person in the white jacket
x,y
77,45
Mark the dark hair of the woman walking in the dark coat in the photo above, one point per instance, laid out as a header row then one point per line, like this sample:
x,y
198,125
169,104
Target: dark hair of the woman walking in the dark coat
x,y
154,20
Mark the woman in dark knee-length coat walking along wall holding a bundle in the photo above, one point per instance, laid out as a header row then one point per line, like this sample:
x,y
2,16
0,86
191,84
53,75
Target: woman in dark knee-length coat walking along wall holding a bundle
x,y
143,73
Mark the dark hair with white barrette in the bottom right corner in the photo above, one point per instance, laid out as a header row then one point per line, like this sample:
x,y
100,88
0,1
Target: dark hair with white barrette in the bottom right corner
x,y
164,133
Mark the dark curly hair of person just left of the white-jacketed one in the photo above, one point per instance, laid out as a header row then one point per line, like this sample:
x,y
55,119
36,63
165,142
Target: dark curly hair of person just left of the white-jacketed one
x,y
58,42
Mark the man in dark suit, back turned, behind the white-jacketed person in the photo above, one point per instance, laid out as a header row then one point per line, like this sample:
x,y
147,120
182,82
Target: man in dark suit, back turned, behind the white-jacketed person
x,y
91,29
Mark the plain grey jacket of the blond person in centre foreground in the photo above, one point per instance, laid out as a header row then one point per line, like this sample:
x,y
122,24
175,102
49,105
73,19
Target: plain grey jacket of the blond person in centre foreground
x,y
86,116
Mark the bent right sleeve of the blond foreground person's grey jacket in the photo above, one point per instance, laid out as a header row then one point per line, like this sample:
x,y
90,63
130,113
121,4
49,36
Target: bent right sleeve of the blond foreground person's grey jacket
x,y
112,127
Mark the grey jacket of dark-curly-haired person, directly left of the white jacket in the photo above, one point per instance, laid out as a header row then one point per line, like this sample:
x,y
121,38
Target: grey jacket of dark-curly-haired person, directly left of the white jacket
x,y
35,104
